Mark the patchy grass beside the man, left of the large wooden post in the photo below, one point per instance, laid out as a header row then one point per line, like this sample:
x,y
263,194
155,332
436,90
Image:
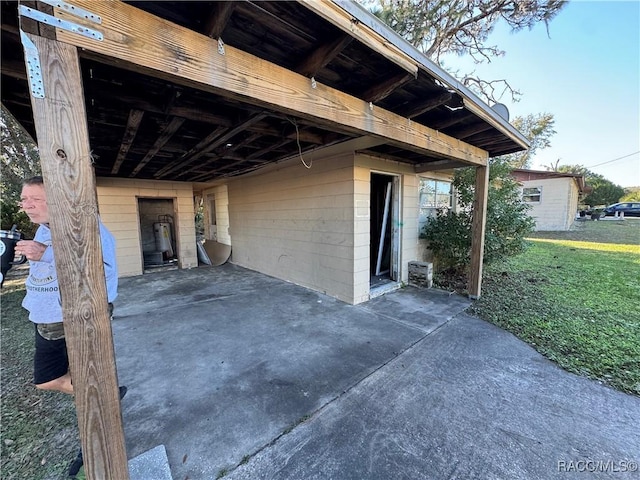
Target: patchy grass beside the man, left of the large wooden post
x,y
38,429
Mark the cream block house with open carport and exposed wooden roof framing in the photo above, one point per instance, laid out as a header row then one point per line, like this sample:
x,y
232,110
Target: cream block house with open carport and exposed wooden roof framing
x,y
317,139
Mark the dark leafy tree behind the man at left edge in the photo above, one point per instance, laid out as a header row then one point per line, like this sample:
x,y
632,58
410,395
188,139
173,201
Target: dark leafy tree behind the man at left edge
x,y
20,160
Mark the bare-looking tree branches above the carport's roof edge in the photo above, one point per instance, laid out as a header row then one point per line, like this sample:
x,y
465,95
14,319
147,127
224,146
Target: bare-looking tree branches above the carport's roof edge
x,y
462,27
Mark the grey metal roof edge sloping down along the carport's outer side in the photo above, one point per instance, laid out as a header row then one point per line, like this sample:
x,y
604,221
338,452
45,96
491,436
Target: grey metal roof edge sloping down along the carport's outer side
x,y
478,106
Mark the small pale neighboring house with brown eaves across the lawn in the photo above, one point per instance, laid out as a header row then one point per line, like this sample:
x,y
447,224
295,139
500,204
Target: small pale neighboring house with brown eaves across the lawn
x,y
552,196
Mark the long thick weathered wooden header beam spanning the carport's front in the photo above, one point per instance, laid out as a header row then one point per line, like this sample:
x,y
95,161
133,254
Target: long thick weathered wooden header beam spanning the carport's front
x,y
145,43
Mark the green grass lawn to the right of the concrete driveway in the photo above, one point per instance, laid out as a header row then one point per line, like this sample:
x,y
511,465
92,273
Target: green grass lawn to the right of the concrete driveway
x,y
575,297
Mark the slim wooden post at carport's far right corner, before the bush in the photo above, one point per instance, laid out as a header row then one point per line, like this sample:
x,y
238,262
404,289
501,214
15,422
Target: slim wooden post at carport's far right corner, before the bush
x,y
477,230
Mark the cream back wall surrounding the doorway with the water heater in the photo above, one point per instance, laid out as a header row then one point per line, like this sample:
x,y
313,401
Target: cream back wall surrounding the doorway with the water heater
x,y
118,204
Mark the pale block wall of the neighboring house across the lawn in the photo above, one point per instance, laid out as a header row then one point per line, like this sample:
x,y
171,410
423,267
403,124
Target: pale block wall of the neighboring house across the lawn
x,y
558,203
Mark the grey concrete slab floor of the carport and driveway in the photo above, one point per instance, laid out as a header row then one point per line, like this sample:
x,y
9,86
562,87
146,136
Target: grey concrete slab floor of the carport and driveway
x,y
240,375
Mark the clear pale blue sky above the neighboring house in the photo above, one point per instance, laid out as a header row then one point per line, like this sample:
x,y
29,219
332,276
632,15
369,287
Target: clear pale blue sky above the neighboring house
x,y
586,72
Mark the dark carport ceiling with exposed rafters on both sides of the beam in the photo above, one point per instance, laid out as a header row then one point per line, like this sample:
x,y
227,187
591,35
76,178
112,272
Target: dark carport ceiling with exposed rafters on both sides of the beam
x,y
147,127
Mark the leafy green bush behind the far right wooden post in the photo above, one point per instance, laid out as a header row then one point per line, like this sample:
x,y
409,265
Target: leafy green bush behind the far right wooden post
x,y
449,233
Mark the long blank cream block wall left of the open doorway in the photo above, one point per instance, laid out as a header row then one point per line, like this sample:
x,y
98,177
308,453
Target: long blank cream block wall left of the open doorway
x,y
297,224
